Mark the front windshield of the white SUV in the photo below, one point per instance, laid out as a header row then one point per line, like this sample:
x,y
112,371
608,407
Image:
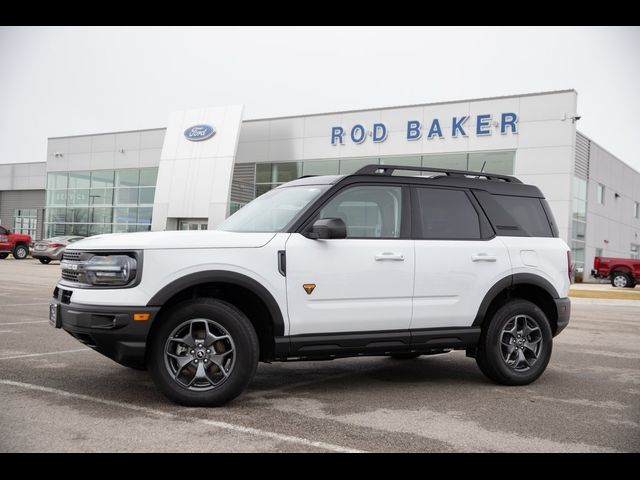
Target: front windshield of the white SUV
x,y
272,211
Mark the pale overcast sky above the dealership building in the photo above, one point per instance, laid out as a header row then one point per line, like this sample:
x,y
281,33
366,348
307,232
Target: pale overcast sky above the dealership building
x,y
59,81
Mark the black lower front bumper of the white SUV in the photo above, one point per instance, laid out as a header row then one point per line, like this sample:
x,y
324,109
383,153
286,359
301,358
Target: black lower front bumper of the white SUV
x,y
107,329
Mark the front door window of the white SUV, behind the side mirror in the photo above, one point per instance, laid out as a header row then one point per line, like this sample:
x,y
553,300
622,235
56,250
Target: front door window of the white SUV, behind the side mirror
x,y
368,211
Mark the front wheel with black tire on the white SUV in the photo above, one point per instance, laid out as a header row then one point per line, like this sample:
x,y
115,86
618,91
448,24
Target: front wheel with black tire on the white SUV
x,y
175,364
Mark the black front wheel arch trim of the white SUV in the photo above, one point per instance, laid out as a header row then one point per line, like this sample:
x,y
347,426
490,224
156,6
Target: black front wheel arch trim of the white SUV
x,y
241,291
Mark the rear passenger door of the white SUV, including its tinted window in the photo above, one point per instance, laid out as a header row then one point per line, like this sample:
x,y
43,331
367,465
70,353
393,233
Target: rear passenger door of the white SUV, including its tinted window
x,y
458,257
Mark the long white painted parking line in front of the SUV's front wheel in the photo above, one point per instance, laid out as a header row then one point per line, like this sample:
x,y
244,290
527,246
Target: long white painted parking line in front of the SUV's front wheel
x,y
213,423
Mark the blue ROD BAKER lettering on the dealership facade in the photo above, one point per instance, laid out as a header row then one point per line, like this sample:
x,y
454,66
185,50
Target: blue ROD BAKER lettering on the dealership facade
x,y
463,126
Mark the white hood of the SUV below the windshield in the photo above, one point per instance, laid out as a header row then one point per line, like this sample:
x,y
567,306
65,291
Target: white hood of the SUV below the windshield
x,y
173,240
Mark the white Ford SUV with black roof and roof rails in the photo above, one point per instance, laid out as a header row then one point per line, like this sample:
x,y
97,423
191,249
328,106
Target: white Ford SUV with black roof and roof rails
x,y
324,267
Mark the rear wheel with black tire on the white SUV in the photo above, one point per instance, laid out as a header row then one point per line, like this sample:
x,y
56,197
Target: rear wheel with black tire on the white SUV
x,y
497,358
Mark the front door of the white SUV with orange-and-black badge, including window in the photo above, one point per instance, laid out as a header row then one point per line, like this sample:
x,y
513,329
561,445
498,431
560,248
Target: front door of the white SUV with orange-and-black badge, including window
x,y
361,283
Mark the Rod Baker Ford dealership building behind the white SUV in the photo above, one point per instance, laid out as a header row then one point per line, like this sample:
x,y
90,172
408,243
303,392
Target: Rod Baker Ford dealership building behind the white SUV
x,y
209,162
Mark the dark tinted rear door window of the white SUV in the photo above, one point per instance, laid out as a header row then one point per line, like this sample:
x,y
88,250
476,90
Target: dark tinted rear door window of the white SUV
x,y
447,214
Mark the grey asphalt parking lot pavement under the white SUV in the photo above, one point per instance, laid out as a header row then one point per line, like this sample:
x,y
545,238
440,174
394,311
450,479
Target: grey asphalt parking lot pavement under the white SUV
x,y
57,395
